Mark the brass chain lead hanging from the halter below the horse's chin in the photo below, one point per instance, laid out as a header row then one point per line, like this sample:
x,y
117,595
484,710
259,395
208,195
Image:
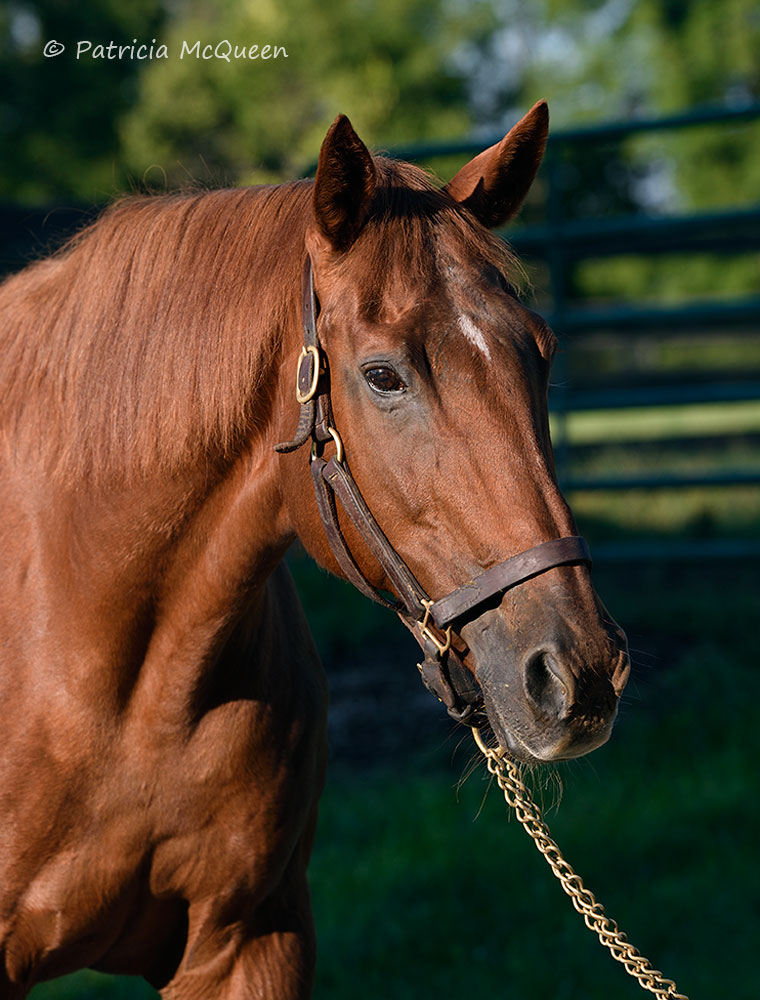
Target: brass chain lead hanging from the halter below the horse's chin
x,y
508,778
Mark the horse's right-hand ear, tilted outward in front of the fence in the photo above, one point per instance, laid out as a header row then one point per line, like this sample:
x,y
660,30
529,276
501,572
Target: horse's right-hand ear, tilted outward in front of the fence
x,y
494,184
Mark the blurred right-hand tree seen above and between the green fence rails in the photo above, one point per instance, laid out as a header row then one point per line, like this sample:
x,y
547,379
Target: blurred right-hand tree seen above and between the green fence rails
x,y
617,59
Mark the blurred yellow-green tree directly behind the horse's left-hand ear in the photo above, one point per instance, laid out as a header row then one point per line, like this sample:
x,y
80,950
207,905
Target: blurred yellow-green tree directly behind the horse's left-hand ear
x,y
388,66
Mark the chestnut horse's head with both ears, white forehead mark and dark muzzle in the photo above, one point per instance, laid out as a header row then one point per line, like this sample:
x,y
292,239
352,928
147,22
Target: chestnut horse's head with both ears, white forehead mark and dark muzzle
x,y
438,380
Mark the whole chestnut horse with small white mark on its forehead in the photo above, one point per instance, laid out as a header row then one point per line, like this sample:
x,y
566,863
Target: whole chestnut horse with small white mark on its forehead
x,y
163,741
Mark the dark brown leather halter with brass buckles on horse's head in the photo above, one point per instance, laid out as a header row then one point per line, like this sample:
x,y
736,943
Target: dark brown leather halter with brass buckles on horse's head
x,y
442,669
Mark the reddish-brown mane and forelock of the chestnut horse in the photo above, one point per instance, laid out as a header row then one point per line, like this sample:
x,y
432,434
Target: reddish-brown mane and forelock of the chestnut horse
x,y
146,341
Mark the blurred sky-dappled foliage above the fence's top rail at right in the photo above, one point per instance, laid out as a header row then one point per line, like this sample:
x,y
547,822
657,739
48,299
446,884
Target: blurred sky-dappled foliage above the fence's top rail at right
x,y
609,58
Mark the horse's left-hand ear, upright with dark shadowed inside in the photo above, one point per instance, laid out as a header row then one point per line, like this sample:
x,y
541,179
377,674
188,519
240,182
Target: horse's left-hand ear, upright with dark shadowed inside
x,y
344,185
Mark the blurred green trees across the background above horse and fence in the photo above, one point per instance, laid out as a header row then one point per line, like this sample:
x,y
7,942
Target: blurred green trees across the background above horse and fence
x,y
404,70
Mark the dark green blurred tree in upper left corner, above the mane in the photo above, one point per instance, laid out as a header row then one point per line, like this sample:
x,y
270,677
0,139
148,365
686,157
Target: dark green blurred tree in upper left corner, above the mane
x,y
58,117
